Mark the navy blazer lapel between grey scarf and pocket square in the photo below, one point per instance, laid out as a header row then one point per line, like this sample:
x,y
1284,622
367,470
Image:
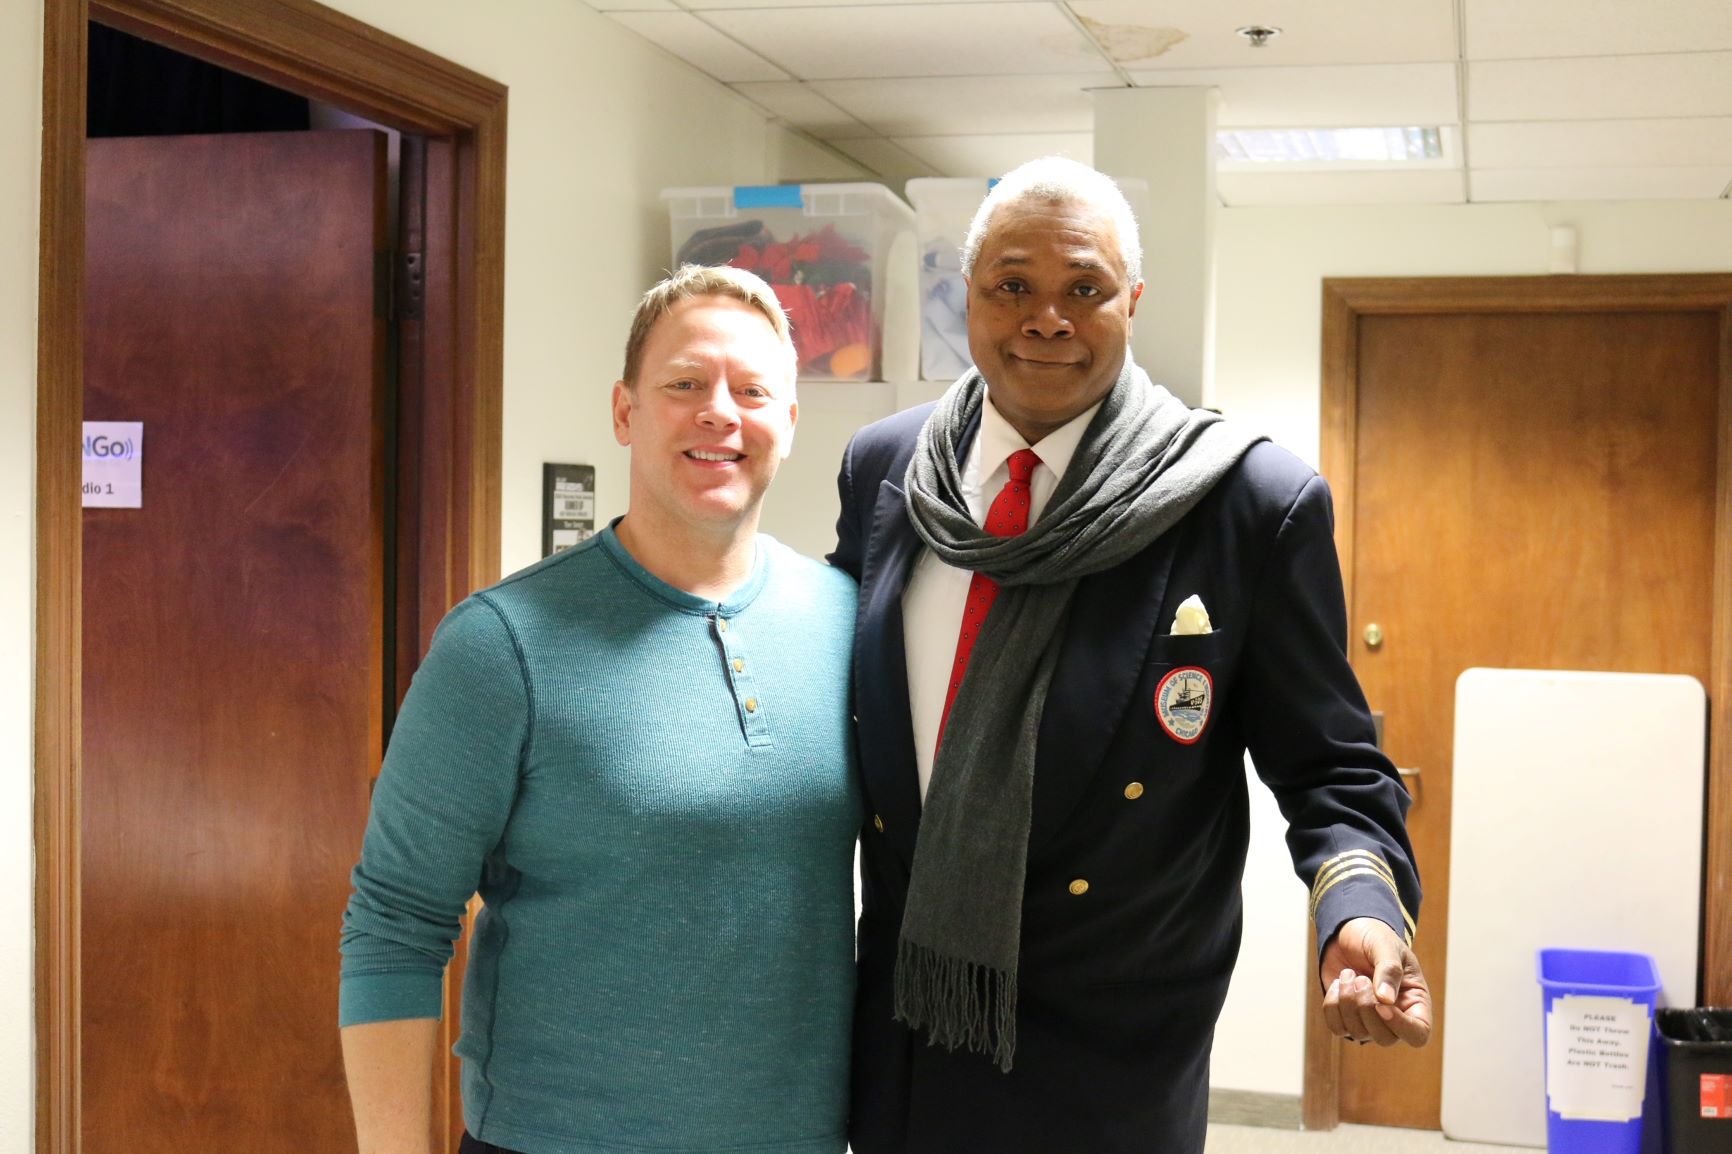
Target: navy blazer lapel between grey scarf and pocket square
x,y
1113,623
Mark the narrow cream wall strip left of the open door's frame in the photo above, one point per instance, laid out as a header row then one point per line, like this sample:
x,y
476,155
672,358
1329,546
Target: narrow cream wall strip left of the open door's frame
x,y
20,165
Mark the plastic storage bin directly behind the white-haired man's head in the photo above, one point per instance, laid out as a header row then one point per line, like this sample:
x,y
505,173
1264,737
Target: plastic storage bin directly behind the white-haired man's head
x,y
945,207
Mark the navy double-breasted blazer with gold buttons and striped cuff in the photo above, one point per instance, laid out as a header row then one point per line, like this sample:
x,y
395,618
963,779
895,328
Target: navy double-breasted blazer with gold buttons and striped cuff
x,y
1120,987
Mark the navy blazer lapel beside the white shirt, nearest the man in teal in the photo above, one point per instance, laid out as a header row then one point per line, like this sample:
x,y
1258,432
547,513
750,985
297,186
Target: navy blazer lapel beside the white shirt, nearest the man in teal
x,y
886,727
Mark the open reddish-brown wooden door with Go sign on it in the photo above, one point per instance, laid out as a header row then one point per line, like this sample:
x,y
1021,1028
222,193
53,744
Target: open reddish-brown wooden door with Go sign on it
x,y
233,633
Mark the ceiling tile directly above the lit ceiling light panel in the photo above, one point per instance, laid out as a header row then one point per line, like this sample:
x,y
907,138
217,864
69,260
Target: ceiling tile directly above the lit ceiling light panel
x,y
1360,96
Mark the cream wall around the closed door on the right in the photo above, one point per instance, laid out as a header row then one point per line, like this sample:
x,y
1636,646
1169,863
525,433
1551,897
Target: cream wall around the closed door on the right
x,y
1270,264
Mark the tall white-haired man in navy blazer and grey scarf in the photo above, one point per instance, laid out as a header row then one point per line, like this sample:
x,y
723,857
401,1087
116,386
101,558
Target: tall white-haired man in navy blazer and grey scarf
x,y
1224,633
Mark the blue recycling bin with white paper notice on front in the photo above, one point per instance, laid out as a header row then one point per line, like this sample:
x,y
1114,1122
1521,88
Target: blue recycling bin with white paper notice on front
x,y
1600,1049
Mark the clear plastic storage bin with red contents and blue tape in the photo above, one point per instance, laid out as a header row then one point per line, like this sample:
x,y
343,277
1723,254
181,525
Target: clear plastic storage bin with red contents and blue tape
x,y
824,249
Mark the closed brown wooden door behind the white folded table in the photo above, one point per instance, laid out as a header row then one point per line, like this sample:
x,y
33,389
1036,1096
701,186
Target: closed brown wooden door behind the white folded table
x,y
1528,489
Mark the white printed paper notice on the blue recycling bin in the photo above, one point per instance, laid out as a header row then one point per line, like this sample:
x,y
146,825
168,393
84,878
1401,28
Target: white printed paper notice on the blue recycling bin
x,y
1596,1058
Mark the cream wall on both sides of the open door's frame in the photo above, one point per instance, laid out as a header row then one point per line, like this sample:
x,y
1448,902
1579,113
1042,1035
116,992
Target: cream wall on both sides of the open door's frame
x,y
600,124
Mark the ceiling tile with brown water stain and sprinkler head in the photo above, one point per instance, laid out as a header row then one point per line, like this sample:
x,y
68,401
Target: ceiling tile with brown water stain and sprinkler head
x,y
1203,34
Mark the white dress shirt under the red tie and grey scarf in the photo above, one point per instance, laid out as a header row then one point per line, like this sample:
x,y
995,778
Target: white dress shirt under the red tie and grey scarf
x,y
933,606
